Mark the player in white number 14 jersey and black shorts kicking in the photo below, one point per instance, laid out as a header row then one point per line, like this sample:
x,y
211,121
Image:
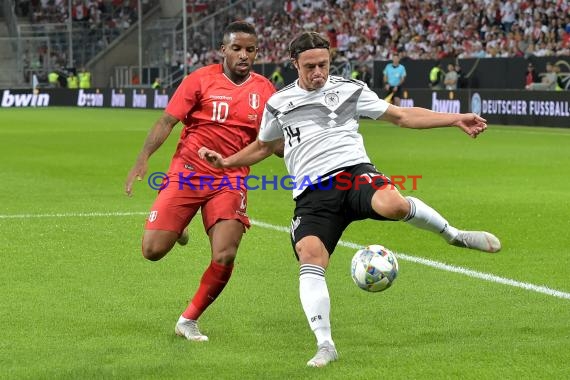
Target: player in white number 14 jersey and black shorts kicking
x,y
317,116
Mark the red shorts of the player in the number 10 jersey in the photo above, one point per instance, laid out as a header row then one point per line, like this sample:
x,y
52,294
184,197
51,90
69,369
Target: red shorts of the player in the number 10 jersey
x,y
176,205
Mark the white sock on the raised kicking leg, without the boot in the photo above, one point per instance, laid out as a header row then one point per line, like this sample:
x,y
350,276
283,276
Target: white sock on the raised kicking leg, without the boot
x,y
426,218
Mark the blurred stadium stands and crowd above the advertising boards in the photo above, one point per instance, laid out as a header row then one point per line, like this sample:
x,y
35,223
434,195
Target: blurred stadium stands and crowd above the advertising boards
x,y
130,43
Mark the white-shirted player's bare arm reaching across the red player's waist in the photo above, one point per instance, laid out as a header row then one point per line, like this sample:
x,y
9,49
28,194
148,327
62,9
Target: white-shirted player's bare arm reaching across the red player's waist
x,y
253,153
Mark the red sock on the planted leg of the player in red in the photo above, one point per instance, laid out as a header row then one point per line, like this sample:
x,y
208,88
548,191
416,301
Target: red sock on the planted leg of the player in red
x,y
213,282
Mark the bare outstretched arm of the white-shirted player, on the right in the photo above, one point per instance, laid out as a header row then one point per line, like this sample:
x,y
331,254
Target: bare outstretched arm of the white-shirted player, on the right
x,y
421,118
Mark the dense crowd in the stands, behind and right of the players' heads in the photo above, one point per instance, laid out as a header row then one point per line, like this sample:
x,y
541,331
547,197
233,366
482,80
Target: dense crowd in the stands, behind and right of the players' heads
x,y
364,30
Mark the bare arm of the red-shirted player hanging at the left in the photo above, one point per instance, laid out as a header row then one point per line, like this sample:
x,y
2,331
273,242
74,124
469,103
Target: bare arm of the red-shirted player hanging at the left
x,y
156,137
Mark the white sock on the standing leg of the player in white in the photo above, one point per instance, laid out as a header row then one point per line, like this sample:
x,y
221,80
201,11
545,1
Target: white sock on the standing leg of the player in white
x,y
316,301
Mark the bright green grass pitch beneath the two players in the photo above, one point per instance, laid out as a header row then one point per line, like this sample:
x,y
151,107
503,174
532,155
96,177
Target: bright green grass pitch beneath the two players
x,y
79,301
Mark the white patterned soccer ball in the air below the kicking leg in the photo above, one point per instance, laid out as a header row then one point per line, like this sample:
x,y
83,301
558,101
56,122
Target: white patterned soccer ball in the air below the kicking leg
x,y
374,268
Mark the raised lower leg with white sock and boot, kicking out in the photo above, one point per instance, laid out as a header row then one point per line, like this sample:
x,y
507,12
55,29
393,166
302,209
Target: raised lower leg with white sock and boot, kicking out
x,y
425,217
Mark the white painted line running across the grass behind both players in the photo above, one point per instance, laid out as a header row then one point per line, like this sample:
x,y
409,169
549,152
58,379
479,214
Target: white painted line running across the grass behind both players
x,y
419,260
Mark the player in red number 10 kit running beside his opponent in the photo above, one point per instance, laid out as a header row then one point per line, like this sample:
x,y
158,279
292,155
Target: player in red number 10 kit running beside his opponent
x,y
221,106
